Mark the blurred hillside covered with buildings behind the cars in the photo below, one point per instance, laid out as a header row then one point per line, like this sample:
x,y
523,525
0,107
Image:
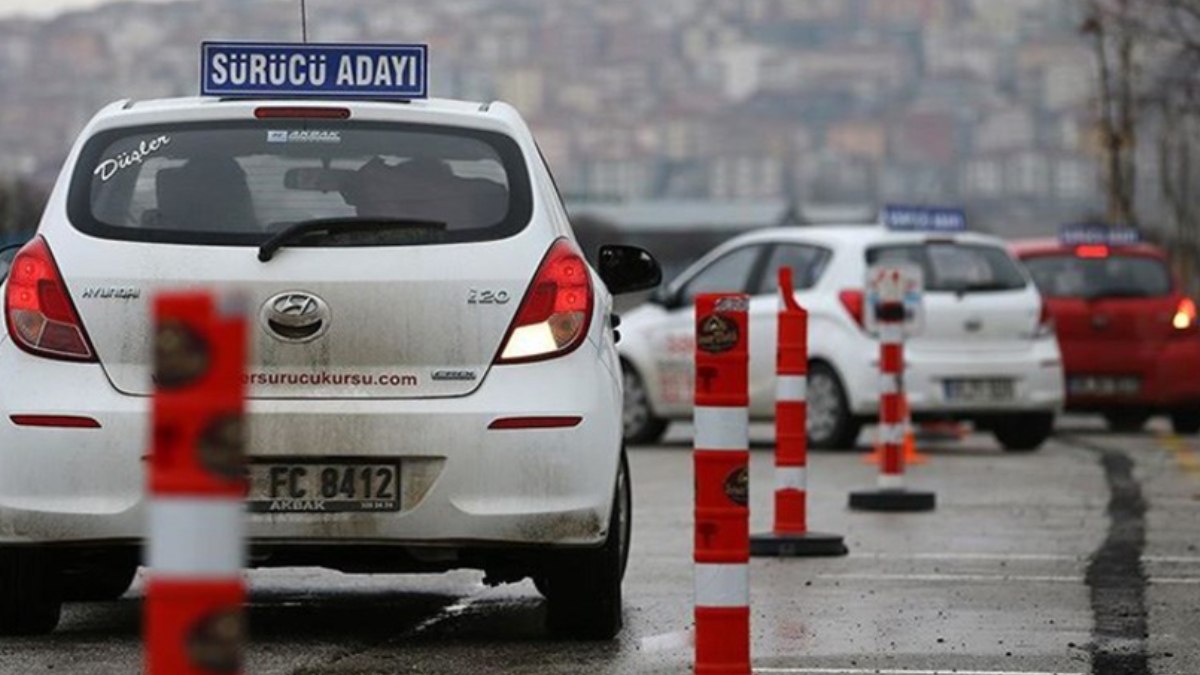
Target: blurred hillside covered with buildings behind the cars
x,y
975,103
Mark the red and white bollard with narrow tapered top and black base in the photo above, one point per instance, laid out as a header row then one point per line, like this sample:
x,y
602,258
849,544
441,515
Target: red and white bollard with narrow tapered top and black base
x,y
790,536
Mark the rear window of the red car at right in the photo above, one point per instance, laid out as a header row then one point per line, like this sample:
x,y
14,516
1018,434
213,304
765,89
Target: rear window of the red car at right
x,y
1112,277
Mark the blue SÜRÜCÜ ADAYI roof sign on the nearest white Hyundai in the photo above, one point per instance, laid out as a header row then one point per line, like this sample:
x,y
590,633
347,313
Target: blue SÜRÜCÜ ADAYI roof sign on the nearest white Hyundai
x,y
322,71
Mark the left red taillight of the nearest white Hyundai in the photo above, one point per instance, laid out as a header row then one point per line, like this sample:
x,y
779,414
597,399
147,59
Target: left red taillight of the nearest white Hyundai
x,y
41,318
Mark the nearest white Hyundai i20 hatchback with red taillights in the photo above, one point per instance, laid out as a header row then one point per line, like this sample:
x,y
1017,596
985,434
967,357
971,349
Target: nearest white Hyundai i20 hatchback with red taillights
x,y
421,307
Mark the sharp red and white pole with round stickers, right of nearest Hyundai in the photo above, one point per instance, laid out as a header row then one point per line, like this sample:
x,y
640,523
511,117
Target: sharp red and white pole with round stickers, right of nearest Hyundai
x,y
723,486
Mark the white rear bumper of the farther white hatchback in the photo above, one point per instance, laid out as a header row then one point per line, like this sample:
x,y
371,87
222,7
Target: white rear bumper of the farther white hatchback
x,y
1036,373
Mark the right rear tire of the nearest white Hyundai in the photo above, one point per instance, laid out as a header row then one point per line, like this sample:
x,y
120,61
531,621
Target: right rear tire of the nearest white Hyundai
x,y
583,590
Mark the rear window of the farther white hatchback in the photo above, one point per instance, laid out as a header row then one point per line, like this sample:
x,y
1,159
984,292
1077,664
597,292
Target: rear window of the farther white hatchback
x,y
952,267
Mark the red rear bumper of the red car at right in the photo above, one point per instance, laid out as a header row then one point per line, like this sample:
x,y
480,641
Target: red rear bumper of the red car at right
x,y
1169,372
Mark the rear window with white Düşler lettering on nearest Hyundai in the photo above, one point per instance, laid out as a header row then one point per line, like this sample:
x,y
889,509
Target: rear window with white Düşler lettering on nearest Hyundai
x,y
239,183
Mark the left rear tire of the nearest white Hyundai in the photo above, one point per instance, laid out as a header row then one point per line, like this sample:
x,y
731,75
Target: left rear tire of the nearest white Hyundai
x,y
31,604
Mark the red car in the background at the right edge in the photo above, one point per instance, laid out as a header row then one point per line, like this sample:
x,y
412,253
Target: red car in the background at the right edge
x,y
1130,341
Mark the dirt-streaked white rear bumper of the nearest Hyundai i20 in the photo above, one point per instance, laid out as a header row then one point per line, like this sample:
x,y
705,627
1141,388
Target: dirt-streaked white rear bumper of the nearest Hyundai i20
x,y
461,483
